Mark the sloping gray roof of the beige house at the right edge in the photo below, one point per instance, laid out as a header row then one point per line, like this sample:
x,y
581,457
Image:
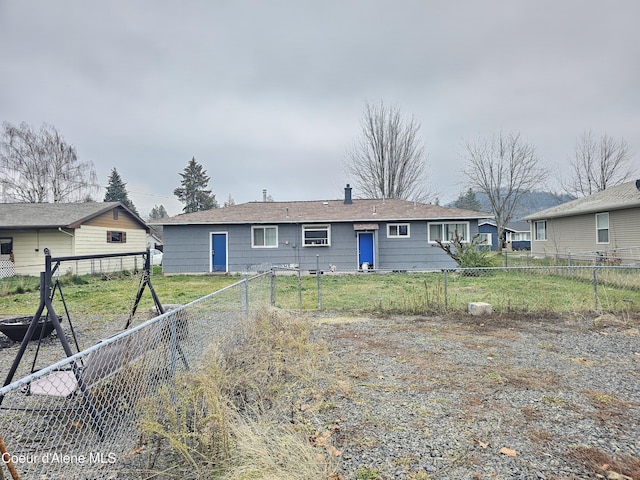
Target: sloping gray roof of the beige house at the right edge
x,y
622,196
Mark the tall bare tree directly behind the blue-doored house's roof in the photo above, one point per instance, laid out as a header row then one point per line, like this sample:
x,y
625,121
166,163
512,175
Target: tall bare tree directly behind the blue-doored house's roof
x,y
388,161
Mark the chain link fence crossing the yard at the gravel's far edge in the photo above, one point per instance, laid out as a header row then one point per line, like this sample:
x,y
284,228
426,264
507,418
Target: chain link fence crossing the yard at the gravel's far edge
x,y
517,289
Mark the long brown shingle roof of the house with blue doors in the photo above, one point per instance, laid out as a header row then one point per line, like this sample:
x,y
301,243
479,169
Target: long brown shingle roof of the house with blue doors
x,y
318,211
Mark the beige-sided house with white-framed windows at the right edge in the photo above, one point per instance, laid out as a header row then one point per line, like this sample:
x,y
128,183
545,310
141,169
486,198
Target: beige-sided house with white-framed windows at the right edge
x,y
604,226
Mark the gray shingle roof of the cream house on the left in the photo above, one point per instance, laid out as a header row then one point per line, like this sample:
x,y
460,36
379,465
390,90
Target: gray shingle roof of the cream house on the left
x,y
27,216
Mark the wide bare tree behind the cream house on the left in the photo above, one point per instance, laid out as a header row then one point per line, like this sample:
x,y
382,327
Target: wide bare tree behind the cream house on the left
x,y
39,166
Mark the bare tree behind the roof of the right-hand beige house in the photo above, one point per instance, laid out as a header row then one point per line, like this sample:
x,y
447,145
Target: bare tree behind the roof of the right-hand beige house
x,y
598,164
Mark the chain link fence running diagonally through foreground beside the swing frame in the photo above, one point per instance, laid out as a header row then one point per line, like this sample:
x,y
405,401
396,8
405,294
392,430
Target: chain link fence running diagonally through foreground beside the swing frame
x,y
80,418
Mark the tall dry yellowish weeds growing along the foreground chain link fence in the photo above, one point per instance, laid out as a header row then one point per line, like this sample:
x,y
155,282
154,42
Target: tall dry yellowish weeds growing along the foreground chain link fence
x,y
234,416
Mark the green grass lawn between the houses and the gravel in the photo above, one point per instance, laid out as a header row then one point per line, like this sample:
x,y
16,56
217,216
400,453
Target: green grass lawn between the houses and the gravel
x,y
509,291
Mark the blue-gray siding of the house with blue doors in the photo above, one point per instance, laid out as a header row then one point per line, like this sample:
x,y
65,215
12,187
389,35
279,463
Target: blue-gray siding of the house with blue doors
x,y
187,249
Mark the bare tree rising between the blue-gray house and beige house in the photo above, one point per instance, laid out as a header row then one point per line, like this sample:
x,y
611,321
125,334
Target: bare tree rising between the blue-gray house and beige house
x,y
504,168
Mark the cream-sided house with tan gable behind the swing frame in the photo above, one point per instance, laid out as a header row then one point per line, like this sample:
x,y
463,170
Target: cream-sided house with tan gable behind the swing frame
x,y
67,229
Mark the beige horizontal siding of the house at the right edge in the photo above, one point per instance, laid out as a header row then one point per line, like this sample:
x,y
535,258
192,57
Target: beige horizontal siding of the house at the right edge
x,y
571,235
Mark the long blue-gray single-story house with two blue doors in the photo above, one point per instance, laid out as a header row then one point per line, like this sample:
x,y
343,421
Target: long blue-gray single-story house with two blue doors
x,y
337,235
